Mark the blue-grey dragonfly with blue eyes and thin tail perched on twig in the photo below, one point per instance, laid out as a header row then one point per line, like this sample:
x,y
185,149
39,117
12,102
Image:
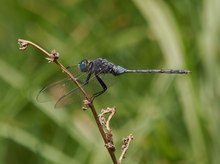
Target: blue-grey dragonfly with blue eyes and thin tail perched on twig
x,y
89,70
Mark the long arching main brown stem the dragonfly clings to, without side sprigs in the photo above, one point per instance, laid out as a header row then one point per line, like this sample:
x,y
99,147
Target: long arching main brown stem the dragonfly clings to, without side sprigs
x,y
53,57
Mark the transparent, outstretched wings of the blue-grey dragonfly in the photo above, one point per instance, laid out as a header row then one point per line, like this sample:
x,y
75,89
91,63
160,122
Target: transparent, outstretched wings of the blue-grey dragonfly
x,y
65,92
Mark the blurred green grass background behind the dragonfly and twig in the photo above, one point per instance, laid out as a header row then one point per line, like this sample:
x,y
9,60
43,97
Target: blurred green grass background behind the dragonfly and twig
x,y
174,119
